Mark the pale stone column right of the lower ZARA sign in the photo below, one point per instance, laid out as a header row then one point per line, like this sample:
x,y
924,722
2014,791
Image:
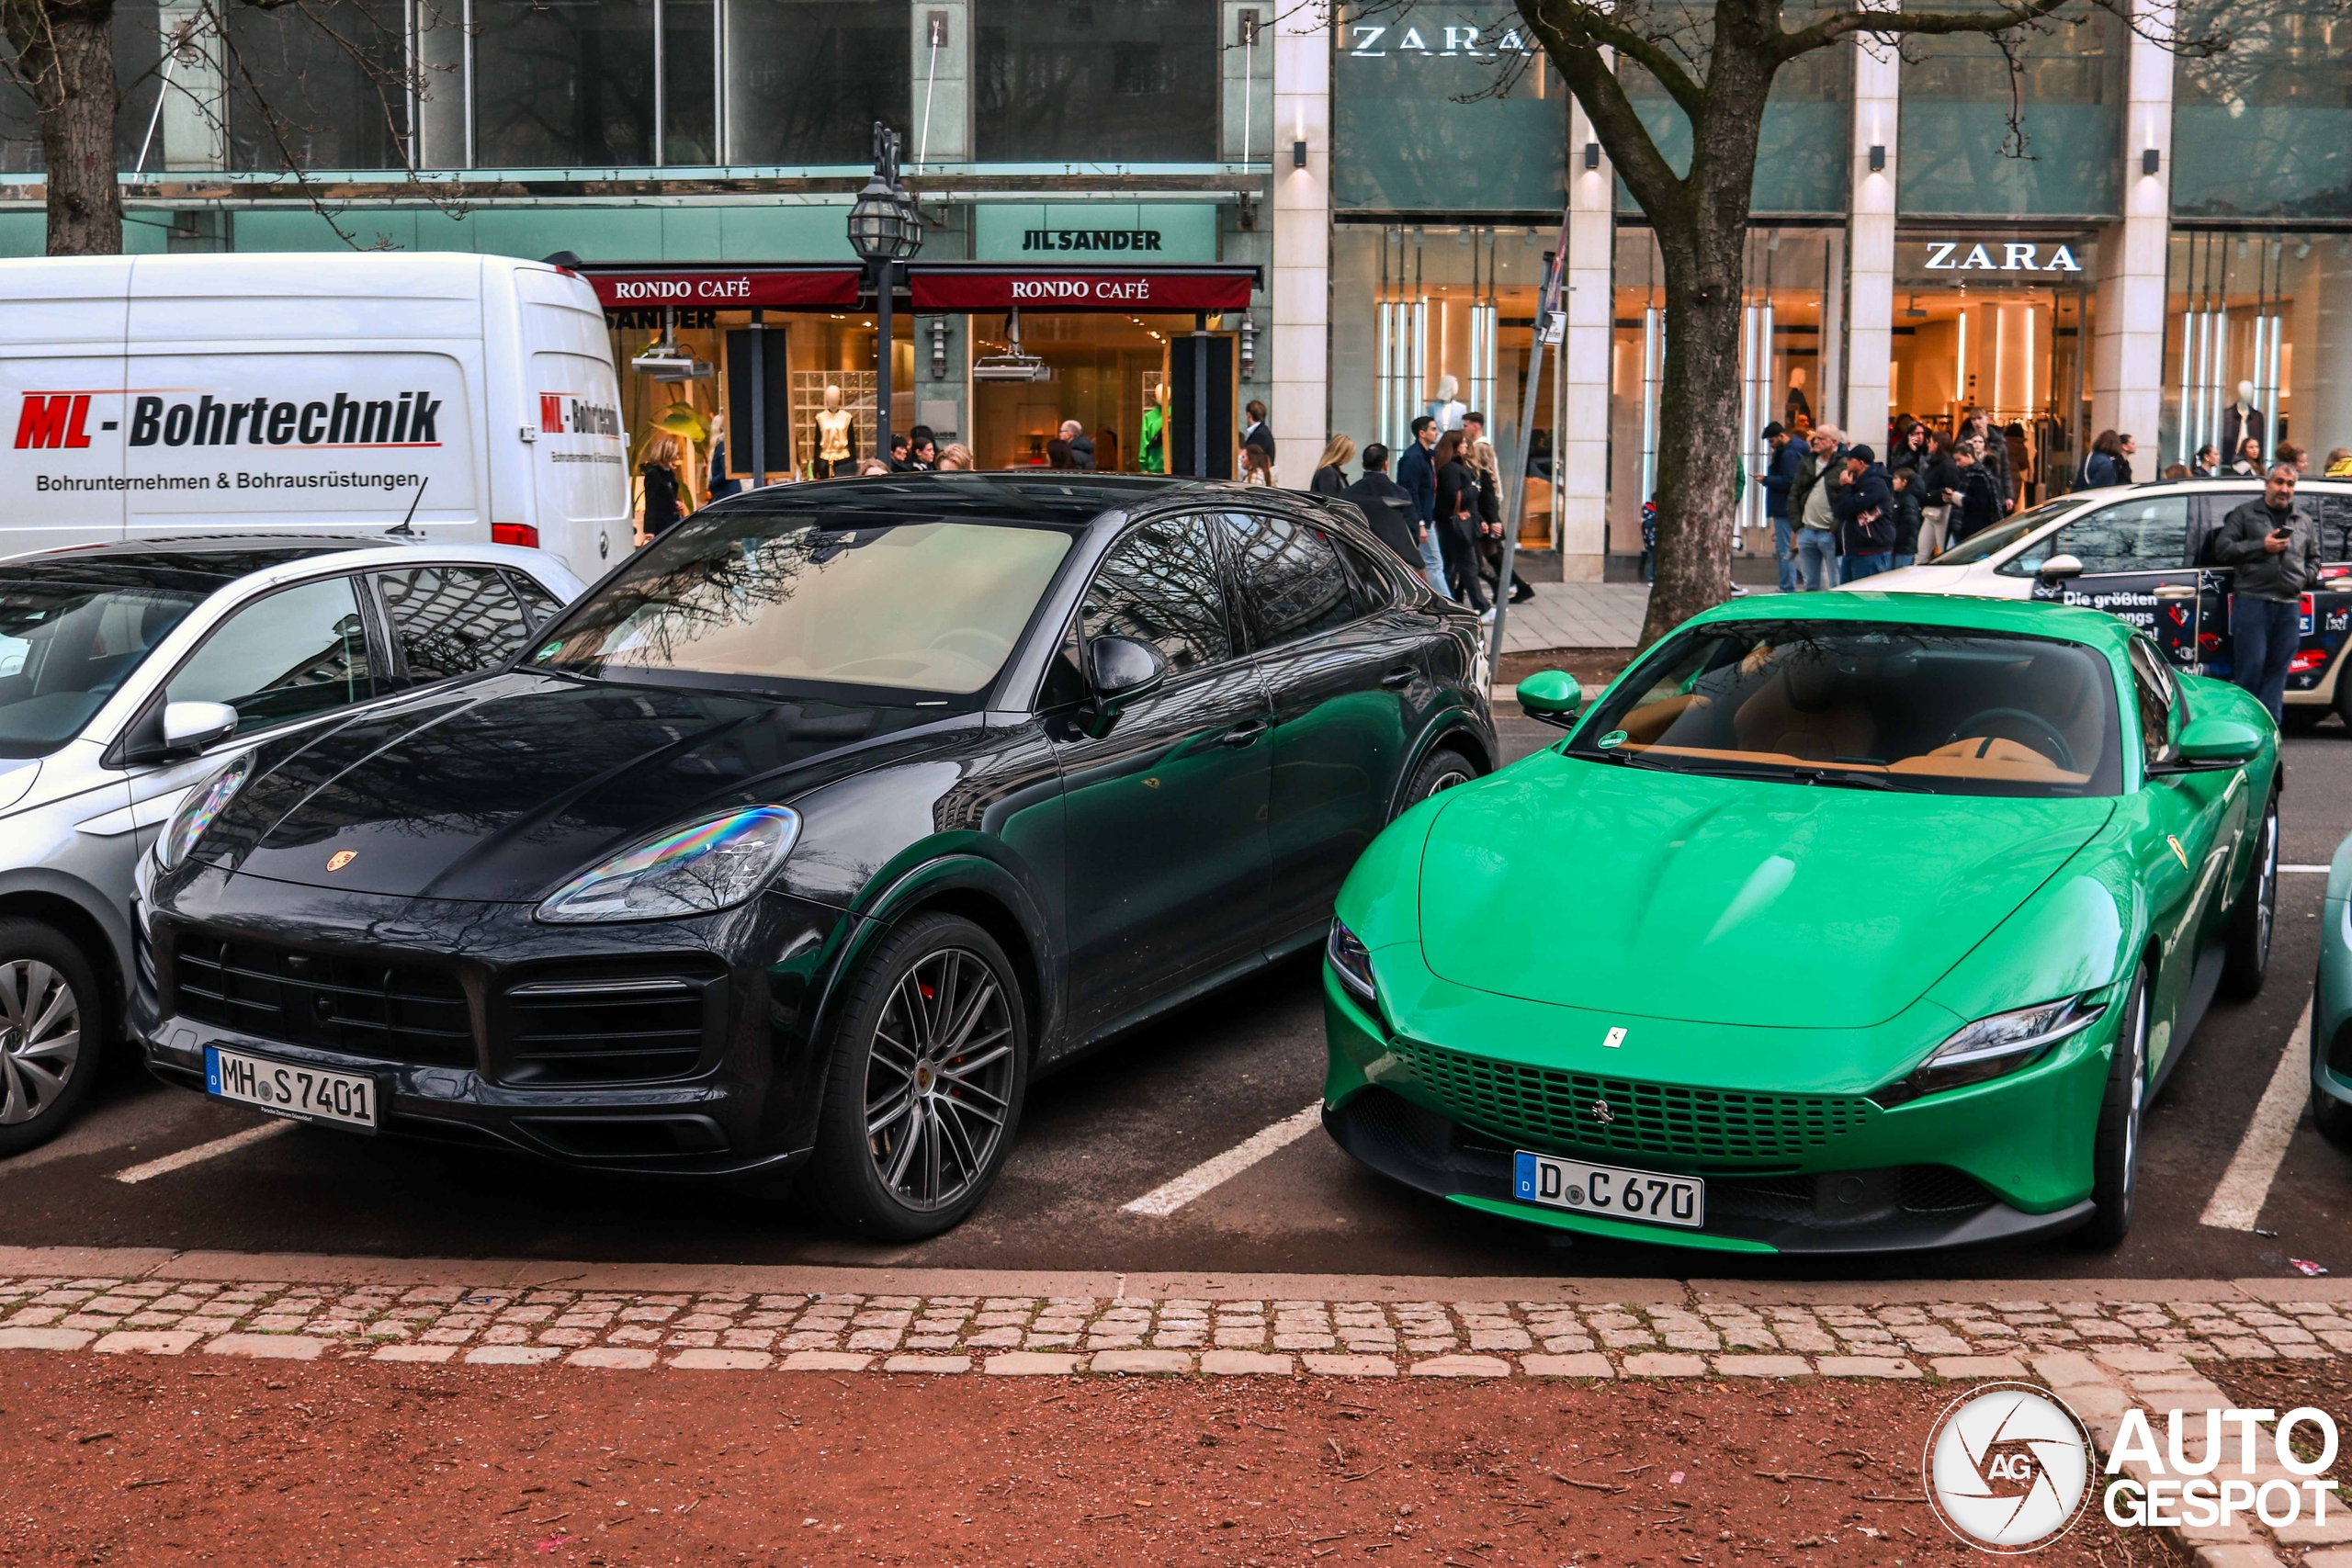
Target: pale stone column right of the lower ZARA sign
x,y
2127,344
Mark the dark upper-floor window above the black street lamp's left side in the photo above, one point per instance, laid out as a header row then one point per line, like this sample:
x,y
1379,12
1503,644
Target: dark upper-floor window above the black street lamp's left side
x,y
808,79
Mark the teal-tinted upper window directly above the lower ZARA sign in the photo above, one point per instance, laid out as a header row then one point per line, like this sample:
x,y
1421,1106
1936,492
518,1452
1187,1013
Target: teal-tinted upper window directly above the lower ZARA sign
x,y
2066,156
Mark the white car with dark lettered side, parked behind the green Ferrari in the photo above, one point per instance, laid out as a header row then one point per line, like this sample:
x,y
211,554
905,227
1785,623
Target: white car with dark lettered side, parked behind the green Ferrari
x,y
2139,551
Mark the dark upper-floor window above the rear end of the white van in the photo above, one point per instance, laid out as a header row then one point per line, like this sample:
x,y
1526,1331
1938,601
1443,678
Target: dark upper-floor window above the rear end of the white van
x,y
563,83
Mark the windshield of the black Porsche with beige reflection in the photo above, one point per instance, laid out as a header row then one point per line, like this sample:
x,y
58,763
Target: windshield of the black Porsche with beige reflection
x,y
754,598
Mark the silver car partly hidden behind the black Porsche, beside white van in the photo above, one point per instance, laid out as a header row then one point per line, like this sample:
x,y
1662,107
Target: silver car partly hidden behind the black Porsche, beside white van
x,y
128,671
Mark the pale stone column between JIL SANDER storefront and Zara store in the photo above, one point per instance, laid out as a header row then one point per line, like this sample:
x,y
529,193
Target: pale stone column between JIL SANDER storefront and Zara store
x,y
1297,351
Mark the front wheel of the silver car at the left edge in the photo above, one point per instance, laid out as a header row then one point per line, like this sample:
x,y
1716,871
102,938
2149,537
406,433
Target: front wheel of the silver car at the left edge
x,y
53,1033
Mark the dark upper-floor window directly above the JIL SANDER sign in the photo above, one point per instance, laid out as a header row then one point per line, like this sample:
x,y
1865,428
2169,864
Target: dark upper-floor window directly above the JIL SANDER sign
x,y
1095,83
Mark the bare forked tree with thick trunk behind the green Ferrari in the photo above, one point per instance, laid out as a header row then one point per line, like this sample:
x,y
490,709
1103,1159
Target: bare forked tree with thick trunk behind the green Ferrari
x,y
1718,67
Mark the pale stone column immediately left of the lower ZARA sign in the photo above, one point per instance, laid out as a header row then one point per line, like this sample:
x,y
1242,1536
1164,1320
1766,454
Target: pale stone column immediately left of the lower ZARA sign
x,y
1871,243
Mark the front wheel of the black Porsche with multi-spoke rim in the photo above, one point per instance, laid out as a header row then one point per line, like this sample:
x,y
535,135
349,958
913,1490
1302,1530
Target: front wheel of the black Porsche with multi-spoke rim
x,y
921,1106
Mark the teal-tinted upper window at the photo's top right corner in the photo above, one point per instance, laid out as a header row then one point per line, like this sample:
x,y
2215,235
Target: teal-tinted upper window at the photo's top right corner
x,y
2266,126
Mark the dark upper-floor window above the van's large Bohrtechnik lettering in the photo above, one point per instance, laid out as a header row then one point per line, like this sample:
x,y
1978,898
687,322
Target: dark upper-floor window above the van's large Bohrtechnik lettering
x,y
316,86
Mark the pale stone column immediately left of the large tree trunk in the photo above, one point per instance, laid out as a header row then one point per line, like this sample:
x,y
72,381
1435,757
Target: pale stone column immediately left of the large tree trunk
x,y
1582,445
